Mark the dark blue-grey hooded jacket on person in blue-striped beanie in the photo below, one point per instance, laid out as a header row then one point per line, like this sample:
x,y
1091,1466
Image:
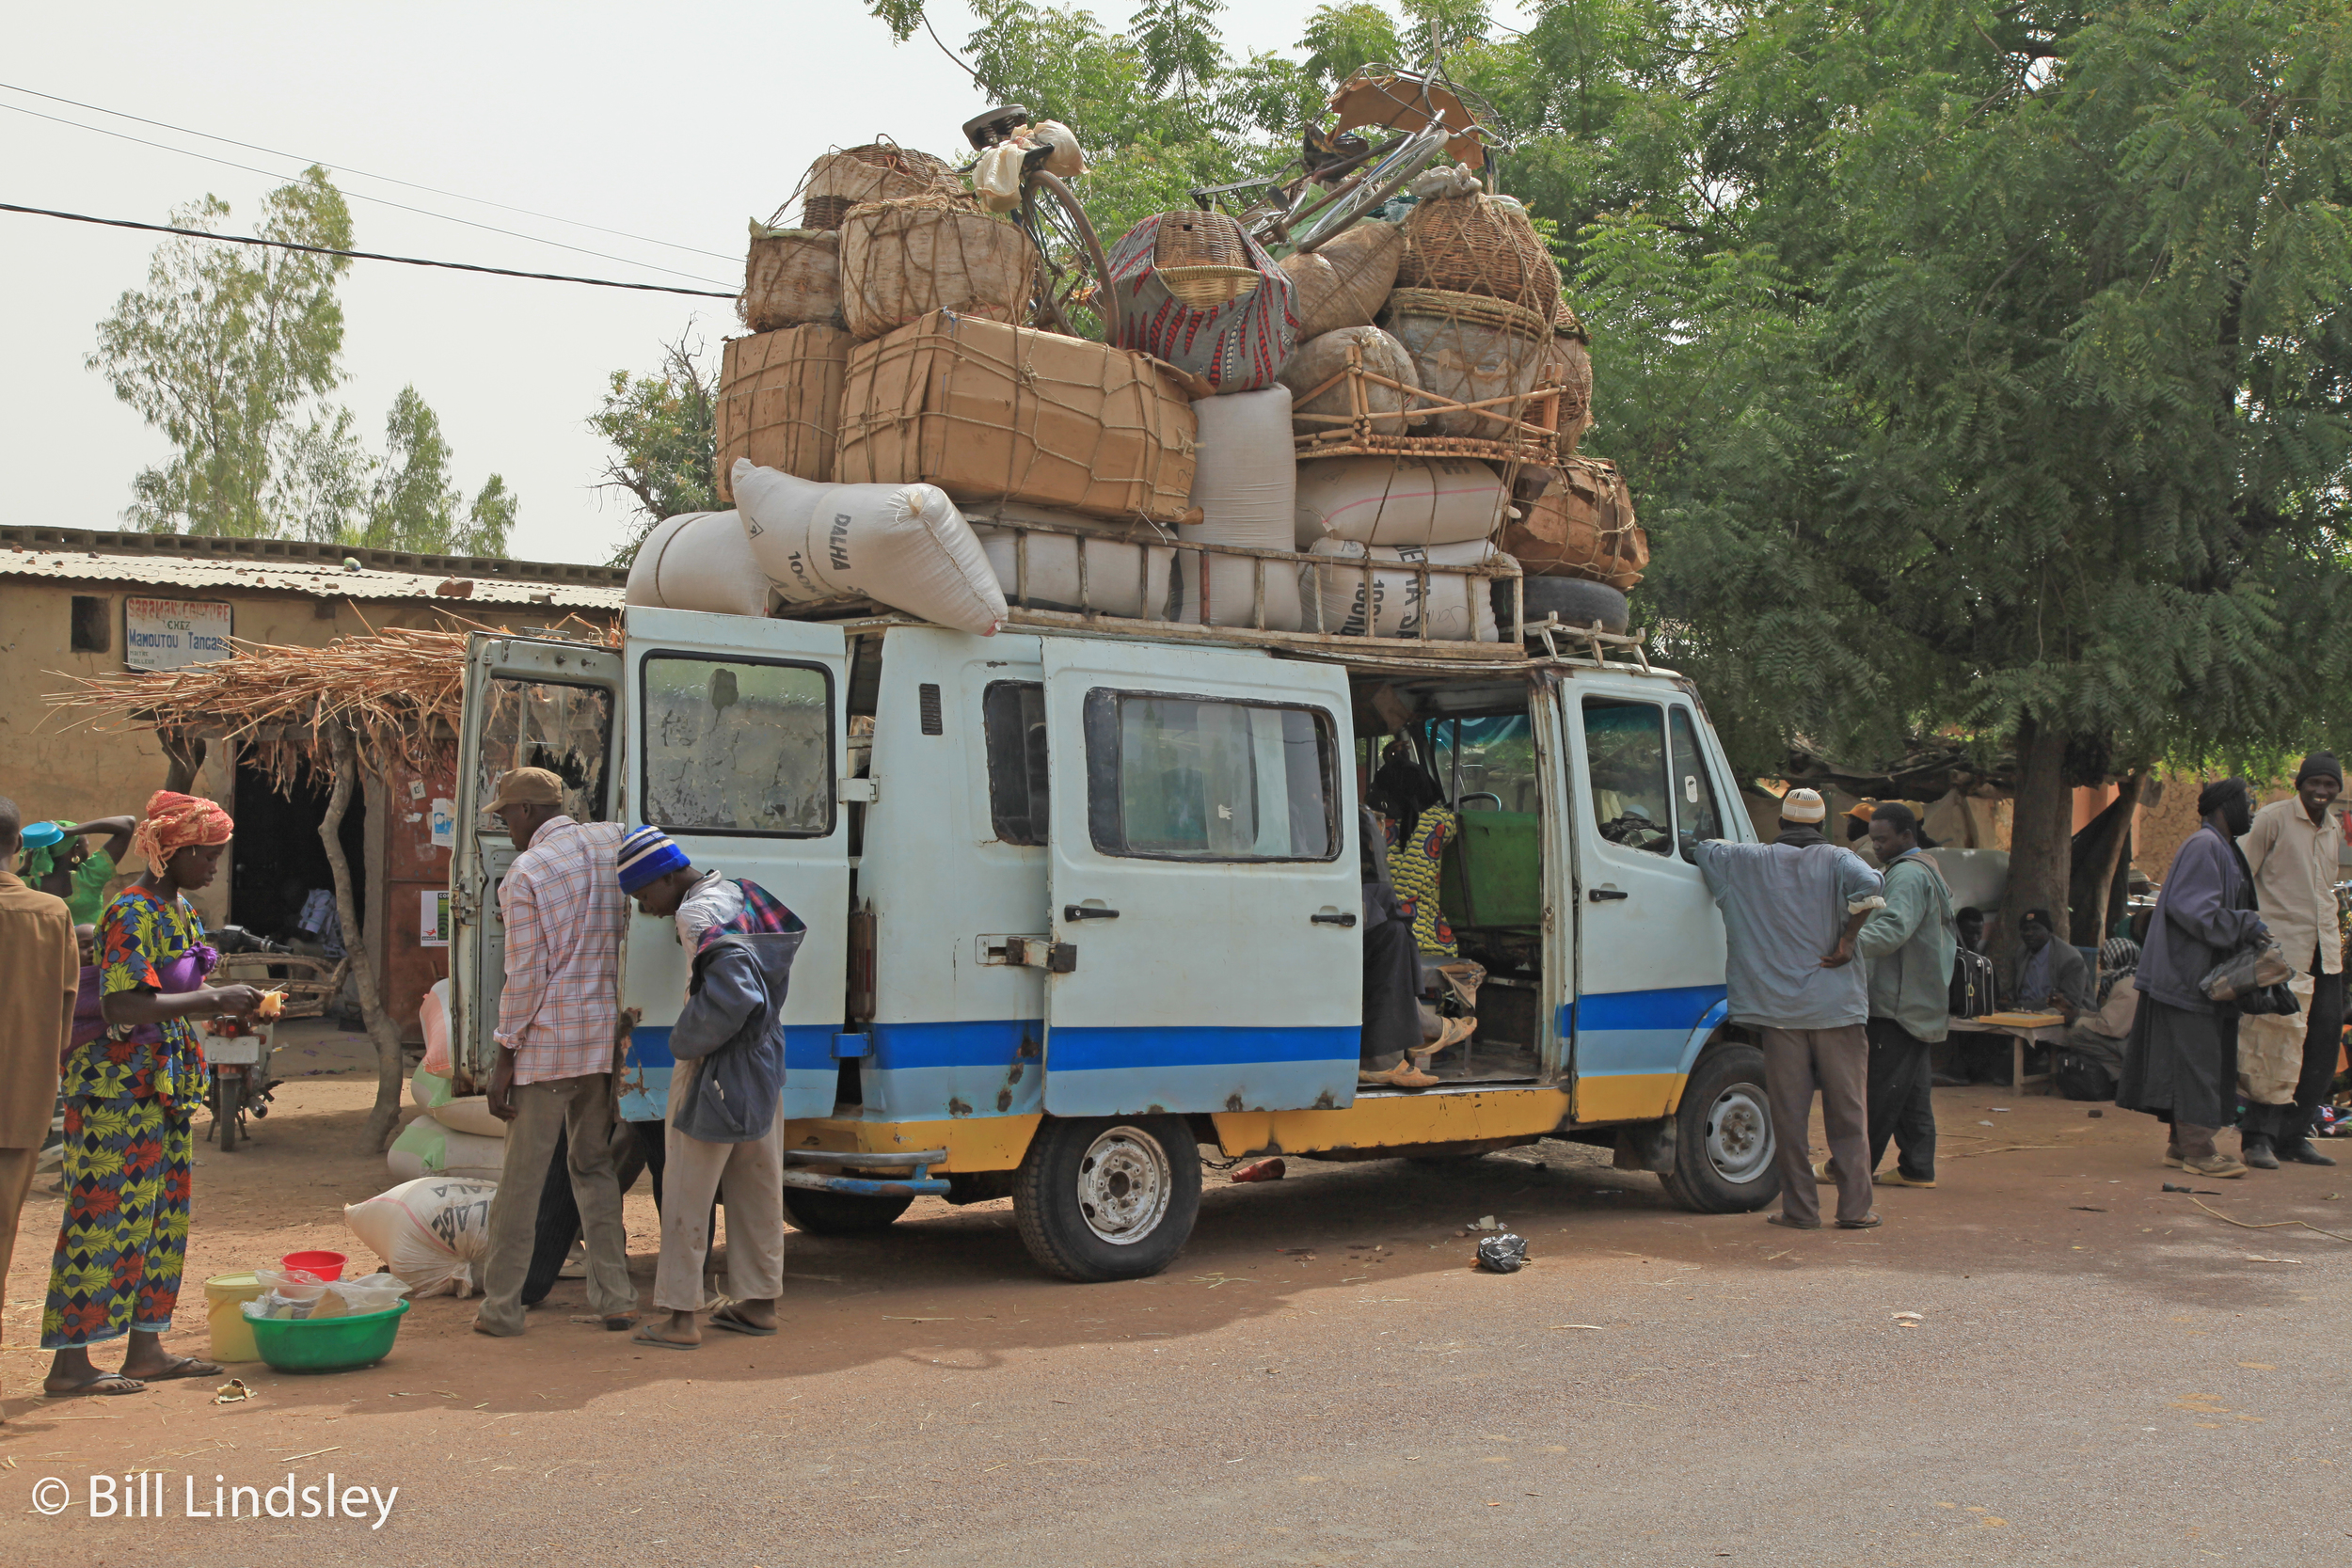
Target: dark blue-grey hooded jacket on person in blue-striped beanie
x,y
730,1038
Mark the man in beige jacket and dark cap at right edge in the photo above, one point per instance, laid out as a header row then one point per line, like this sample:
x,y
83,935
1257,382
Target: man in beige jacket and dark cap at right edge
x,y
2292,855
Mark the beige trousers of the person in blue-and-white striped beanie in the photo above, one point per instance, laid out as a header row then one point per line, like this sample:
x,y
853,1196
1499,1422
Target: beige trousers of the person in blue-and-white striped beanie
x,y
751,1179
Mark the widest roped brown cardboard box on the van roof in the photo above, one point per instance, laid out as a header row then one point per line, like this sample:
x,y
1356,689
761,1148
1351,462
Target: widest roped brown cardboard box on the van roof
x,y
994,413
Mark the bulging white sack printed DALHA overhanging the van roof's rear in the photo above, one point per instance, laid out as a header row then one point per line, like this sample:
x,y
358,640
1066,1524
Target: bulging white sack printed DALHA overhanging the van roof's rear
x,y
897,544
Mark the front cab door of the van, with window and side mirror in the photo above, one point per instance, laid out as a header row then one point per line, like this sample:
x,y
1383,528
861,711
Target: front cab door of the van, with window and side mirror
x,y
1650,937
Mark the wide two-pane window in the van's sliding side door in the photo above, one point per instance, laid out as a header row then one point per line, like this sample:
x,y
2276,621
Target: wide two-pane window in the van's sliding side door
x,y
1194,779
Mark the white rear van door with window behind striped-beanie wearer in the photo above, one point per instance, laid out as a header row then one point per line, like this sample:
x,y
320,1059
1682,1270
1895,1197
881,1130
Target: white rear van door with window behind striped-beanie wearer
x,y
735,742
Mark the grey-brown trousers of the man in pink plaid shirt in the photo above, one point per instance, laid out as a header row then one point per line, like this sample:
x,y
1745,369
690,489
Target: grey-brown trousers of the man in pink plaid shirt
x,y
582,1113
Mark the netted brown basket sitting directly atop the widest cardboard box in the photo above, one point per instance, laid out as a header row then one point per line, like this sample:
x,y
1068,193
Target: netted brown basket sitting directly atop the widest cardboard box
x,y
933,253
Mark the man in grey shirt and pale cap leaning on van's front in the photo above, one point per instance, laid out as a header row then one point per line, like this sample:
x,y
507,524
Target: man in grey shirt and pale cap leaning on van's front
x,y
1793,911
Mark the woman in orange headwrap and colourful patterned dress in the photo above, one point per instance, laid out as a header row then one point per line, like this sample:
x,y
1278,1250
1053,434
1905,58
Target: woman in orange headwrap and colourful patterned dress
x,y
131,1106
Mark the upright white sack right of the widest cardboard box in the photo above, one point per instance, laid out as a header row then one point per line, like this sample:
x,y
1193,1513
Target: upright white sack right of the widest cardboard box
x,y
1248,492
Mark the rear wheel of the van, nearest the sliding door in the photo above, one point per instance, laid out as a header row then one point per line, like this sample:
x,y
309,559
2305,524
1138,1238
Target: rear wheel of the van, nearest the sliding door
x,y
1109,1198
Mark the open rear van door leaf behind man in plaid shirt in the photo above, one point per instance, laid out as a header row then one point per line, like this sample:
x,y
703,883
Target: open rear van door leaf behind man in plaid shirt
x,y
530,704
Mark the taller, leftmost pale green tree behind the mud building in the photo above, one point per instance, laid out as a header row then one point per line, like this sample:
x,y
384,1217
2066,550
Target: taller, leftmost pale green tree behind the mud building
x,y
225,351
